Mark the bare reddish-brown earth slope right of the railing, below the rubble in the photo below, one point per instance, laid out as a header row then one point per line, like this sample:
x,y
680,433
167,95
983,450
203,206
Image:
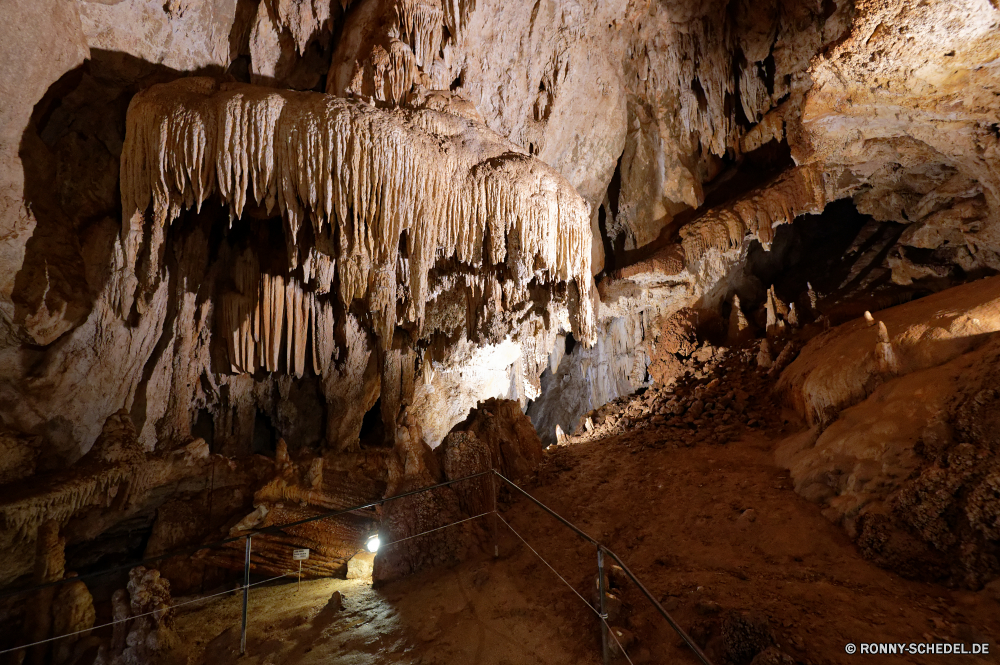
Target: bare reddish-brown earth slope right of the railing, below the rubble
x,y
714,528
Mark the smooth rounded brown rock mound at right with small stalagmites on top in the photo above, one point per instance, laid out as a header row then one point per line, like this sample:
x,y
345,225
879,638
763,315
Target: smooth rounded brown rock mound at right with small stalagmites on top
x,y
903,454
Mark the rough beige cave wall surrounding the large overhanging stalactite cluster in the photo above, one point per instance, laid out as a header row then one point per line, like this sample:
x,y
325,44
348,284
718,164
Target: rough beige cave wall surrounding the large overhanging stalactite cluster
x,y
689,129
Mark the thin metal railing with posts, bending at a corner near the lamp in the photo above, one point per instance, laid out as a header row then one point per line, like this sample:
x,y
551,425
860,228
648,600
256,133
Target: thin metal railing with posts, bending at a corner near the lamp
x,y
601,550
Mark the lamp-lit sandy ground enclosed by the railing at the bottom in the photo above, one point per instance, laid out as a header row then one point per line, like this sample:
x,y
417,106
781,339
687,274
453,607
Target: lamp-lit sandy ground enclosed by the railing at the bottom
x,y
477,612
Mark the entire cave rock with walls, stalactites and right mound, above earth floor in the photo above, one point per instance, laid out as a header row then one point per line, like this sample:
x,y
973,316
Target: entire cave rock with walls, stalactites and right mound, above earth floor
x,y
265,255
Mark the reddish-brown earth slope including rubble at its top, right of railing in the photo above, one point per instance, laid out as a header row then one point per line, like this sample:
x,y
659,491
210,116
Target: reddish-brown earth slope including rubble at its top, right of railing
x,y
691,498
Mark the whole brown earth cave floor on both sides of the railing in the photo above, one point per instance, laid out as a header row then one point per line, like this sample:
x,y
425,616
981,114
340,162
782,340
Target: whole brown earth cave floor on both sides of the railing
x,y
708,529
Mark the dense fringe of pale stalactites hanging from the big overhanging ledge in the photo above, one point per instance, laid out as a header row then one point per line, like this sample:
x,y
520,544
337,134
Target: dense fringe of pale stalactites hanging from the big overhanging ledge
x,y
453,187
